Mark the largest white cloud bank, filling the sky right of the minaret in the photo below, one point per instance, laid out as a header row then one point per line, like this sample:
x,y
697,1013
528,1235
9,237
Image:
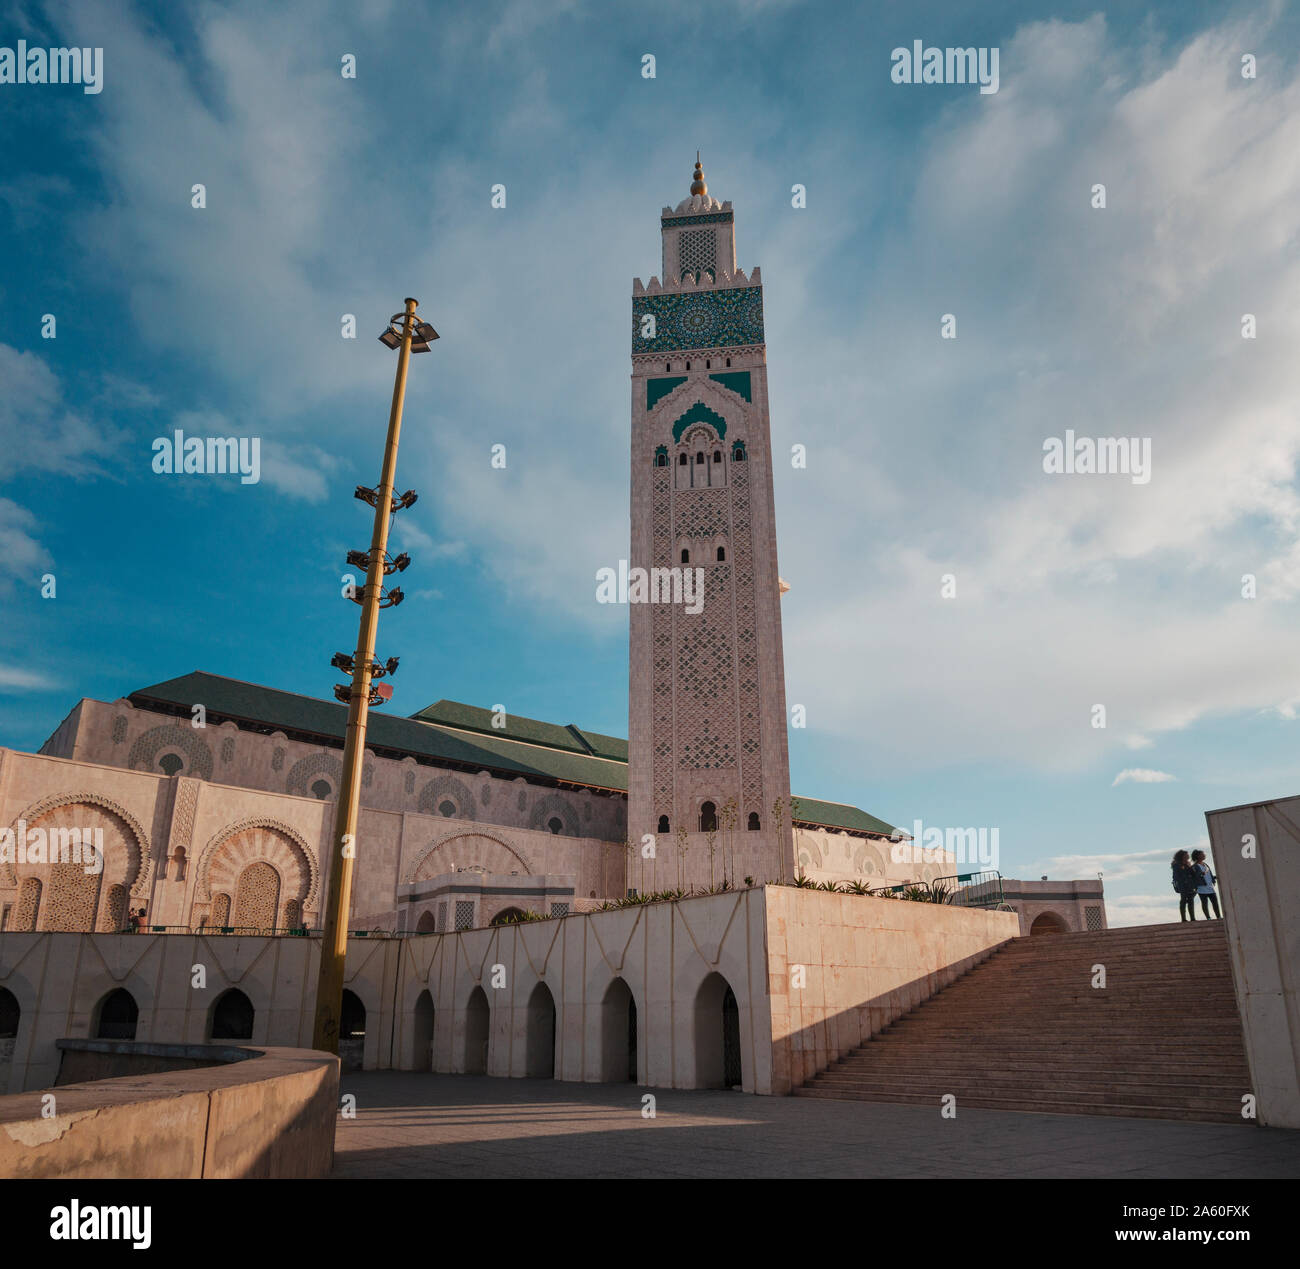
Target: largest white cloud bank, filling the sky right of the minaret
x,y
1072,591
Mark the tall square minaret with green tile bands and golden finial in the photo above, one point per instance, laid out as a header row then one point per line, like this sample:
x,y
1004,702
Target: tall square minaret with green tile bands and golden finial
x,y
709,770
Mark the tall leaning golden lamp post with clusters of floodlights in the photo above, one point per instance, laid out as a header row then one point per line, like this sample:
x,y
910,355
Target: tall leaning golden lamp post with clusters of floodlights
x,y
409,335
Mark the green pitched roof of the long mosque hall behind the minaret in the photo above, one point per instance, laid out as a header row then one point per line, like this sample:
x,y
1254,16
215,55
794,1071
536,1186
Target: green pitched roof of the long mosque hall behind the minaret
x,y
449,731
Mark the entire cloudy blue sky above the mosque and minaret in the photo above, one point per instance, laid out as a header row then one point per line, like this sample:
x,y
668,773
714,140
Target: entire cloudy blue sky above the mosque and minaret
x,y
331,197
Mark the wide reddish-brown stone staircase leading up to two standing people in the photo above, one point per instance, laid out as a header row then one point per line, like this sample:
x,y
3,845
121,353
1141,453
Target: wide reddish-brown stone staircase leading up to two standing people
x,y
1026,1030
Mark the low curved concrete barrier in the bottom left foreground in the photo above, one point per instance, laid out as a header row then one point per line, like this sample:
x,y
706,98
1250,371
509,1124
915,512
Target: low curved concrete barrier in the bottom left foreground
x,y
244,1114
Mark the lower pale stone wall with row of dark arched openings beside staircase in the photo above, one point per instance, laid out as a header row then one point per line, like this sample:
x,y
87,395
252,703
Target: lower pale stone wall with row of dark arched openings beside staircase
x,y
700,993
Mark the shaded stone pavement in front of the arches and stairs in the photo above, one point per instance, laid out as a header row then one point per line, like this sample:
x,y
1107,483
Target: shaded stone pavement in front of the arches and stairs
x,y
418,1125
